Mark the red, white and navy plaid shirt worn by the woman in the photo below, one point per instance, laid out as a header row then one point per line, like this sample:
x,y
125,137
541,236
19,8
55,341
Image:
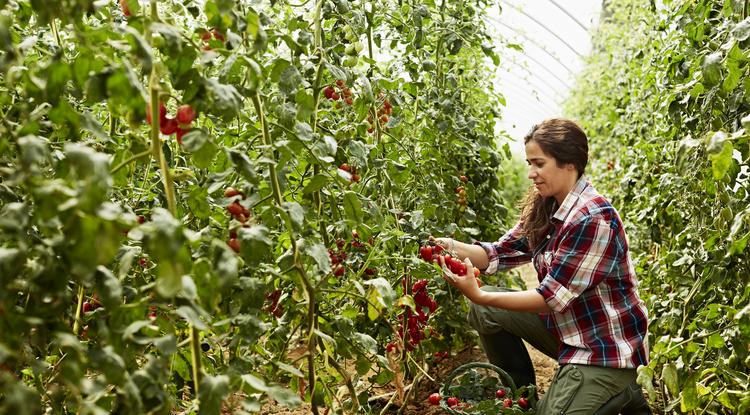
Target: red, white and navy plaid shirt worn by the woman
x,y
587,279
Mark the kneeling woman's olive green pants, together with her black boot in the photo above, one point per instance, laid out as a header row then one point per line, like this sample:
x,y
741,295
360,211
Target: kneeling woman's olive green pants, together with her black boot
x,y
575,389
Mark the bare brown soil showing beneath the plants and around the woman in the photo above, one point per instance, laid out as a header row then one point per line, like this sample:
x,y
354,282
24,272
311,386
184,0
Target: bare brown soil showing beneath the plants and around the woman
x,y
545,368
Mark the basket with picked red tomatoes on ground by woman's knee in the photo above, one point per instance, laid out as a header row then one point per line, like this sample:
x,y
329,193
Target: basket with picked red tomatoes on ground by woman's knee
x,y
483,388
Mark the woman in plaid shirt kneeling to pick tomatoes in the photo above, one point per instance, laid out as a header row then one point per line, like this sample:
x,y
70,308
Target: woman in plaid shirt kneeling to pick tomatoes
x,y
586,312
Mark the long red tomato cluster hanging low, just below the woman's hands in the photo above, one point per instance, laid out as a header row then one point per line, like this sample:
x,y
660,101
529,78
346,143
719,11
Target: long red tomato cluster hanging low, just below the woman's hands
x,y
415,325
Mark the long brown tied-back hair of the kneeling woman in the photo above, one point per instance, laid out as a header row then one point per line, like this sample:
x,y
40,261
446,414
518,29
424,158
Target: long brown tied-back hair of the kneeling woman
x,y
566,142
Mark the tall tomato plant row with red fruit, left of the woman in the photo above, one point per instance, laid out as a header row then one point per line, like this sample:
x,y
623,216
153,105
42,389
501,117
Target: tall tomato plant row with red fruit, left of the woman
x,y
182,162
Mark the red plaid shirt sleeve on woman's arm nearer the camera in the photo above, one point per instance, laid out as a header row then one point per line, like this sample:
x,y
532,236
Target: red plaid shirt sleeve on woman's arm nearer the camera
x,y
589,250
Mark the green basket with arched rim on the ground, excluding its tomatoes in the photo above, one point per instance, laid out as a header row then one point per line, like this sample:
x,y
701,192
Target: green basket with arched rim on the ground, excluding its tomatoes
x,y
486,387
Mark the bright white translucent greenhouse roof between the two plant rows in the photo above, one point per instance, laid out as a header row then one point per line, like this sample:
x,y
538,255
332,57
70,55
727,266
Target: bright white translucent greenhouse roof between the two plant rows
x,y
555,36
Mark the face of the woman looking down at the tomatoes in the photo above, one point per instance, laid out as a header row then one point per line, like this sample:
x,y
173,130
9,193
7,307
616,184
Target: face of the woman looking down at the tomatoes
x,y
549,179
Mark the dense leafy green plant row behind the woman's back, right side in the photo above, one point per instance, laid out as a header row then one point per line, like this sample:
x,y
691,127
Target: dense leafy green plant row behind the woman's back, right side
x,y
665,100
